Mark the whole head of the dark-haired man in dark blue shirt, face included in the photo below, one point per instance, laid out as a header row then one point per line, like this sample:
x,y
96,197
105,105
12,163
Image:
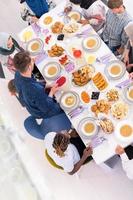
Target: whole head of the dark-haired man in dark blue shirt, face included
x,y
23,62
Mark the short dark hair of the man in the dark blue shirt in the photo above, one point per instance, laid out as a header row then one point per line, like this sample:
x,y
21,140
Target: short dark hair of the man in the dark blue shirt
x,y
21,61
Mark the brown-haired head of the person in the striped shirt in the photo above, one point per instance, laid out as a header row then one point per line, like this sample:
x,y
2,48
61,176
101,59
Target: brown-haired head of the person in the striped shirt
x,y
116,6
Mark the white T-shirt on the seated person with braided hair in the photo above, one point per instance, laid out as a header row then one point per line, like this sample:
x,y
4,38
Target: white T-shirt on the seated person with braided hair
x,y
68,161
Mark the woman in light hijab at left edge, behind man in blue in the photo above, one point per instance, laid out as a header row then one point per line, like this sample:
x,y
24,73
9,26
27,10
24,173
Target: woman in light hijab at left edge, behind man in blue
x,y
8,46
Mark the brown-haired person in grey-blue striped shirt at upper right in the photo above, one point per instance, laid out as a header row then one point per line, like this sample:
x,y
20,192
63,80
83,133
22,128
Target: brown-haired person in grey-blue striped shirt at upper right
x,y
116,19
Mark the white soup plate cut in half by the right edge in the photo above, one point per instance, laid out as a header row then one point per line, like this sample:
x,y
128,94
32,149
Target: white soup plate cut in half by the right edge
x,y
126,91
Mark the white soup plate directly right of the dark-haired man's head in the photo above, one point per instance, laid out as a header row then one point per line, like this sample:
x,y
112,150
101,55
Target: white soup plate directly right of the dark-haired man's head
x,y
57,69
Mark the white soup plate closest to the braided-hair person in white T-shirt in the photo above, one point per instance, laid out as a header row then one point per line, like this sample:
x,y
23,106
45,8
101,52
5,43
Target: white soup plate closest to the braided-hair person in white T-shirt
x,y
81,127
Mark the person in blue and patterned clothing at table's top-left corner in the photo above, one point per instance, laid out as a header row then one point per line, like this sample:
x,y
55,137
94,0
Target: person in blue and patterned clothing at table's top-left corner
x,y
32,10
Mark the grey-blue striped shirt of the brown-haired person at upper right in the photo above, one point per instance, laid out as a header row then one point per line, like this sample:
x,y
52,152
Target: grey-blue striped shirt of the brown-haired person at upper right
x,y
113,32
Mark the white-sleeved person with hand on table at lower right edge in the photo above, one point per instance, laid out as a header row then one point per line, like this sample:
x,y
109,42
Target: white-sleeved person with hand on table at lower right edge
x,y
127,163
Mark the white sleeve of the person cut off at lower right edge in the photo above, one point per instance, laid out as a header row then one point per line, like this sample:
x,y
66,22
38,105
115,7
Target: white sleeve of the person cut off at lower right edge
x,y
127,165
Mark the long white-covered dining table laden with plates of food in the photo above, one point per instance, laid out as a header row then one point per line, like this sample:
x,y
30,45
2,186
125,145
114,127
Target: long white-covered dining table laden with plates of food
x,y
103,144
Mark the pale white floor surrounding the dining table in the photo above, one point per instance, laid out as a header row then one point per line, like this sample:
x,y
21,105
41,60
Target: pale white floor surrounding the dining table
x,y
93,182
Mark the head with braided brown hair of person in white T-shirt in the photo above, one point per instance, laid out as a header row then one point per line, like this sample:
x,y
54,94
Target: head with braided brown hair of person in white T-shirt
x,y
60,143
